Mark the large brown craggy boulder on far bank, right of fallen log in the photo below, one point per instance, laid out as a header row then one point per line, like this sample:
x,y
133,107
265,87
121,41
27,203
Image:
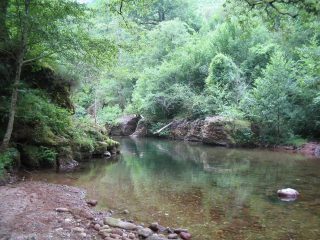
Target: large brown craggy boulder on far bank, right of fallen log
x,y
215,130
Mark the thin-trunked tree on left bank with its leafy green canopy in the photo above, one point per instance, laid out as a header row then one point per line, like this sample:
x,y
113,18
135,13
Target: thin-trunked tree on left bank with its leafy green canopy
x,y
46,29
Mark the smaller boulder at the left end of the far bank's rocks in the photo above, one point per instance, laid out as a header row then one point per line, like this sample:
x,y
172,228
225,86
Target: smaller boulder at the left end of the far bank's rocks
x,y
125,126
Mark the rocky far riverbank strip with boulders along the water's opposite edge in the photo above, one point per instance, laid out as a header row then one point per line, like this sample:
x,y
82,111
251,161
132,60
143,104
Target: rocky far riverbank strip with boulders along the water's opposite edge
x,y
214,131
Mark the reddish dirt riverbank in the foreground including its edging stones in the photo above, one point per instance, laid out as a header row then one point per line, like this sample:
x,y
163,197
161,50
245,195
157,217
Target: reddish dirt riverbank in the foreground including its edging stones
x,y
38,210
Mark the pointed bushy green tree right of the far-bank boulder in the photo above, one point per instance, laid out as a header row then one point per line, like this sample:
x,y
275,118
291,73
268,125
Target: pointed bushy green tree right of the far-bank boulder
x,y
272,103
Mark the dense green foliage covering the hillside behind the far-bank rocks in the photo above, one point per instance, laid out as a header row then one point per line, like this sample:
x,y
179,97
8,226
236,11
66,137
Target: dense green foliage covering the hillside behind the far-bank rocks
x,y
226,60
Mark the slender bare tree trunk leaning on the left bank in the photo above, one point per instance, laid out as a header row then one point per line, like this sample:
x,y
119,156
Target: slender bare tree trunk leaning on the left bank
x,y
19,63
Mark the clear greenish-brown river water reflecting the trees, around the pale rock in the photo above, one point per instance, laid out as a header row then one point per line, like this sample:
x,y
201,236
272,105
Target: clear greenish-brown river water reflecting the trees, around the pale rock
x,y
216,193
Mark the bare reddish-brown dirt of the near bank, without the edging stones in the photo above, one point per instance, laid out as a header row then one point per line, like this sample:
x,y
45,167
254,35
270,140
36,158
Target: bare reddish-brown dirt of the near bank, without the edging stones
x,y
28,211
